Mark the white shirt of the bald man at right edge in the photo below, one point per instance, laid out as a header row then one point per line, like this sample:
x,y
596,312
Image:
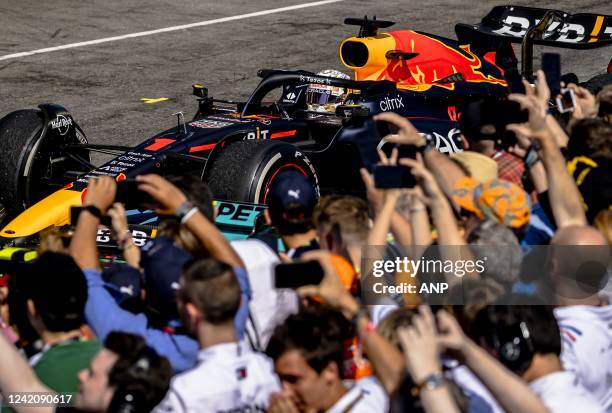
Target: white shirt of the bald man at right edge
x,y
586,338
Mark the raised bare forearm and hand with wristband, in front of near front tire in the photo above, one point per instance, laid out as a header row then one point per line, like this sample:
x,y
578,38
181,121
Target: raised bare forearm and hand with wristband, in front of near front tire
x,y
171,199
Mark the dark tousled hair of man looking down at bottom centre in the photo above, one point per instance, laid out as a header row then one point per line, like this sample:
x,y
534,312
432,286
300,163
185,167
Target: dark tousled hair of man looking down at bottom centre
x,y
317,331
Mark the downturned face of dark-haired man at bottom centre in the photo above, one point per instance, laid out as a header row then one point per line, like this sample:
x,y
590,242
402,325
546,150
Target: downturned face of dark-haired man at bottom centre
x,y
307,389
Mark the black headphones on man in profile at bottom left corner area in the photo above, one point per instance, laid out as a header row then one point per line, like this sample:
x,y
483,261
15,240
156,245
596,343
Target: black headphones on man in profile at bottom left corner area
x,y
131,389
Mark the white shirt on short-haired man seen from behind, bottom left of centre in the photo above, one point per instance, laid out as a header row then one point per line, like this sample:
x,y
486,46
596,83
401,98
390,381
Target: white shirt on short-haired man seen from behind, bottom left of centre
x,y
228,377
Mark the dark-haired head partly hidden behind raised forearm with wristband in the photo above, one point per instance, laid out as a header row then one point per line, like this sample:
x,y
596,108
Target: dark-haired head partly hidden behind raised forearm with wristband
x,y
200,195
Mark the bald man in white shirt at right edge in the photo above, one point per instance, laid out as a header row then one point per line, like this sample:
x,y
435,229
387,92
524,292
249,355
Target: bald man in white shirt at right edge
x,y
584,314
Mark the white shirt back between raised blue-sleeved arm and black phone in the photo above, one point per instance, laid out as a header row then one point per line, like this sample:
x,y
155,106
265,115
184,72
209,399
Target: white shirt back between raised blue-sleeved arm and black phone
x,y
269,307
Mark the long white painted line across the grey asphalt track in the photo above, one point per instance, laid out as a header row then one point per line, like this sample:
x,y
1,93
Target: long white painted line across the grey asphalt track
x,y
168,29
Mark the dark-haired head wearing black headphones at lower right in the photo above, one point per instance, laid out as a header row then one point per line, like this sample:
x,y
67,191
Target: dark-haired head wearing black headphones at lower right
x,y
520,331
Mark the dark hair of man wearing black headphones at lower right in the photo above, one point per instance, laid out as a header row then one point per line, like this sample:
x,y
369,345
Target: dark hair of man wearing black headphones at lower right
x,y
512,309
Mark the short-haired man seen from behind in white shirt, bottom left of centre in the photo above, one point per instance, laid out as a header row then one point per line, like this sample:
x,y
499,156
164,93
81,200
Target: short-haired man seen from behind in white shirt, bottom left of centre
x,y
228,377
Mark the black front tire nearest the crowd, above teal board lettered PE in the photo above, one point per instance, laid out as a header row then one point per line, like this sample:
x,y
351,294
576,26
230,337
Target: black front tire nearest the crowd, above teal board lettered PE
x,y
243,170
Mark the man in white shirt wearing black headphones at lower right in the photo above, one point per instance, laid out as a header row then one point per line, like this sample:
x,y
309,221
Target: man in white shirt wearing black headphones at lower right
x,y
525,337
